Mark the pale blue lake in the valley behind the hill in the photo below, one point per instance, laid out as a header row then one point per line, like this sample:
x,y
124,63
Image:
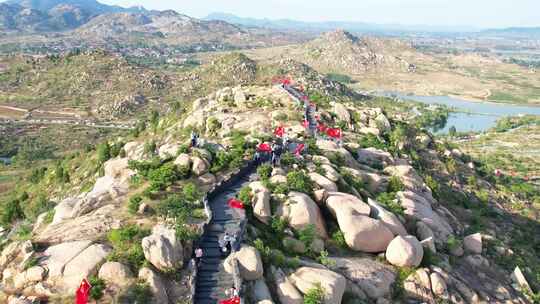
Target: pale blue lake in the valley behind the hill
x,y
479,116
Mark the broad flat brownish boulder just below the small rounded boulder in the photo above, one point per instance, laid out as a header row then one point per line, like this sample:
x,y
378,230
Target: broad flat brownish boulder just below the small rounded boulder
x,y
375,279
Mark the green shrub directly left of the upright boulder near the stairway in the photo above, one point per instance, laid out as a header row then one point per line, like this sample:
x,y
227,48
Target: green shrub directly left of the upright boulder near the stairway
x,y
126,243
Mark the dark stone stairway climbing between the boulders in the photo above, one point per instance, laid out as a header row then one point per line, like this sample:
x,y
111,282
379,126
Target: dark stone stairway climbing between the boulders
x,y
212,279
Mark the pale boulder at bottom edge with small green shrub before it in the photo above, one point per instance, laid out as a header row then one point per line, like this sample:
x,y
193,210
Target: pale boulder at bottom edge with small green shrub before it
x,y
333,284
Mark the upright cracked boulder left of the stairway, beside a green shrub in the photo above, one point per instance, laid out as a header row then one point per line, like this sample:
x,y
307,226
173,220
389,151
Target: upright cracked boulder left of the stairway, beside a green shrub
x,y
163,249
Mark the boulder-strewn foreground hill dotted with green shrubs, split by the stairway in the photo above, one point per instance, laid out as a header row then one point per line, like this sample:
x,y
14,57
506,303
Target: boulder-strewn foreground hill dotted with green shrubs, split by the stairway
x,y
391,215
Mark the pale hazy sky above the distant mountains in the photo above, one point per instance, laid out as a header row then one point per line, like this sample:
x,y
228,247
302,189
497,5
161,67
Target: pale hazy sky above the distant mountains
x,y
478,13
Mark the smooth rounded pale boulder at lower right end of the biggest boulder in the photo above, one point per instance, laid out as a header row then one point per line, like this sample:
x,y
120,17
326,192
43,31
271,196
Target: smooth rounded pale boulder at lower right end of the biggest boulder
x,y
405,251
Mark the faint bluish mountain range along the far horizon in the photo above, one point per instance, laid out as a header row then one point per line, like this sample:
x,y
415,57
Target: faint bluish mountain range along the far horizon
x,y
324,26
